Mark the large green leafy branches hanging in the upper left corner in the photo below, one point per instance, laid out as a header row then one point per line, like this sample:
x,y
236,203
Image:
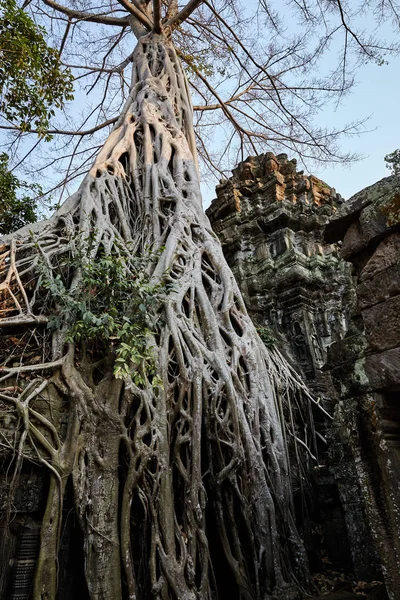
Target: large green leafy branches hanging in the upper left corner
x,y
32,81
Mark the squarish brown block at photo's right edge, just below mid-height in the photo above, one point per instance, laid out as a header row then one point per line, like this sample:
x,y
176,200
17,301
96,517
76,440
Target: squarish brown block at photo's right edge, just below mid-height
x,y
382,325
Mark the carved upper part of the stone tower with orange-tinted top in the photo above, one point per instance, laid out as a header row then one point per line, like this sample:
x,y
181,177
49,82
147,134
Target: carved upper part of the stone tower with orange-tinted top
x,y
270,219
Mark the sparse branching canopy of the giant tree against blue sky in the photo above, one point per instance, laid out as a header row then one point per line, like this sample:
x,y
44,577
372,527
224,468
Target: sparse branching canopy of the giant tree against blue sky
x,y
259,74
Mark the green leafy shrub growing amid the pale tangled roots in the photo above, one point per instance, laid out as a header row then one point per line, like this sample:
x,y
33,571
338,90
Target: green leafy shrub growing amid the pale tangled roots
x,y
114,304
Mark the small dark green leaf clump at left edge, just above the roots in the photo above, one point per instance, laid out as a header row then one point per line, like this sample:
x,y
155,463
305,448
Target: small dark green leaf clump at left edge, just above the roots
x,y
16,210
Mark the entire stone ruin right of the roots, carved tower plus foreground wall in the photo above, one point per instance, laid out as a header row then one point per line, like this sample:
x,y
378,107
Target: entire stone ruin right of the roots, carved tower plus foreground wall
x,y
321,279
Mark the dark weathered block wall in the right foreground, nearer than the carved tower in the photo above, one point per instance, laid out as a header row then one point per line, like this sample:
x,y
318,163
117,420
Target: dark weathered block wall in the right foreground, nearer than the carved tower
x,y
366,364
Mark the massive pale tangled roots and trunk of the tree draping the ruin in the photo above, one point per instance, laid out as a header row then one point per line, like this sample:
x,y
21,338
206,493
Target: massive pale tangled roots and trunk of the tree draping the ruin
x,y
183,490
